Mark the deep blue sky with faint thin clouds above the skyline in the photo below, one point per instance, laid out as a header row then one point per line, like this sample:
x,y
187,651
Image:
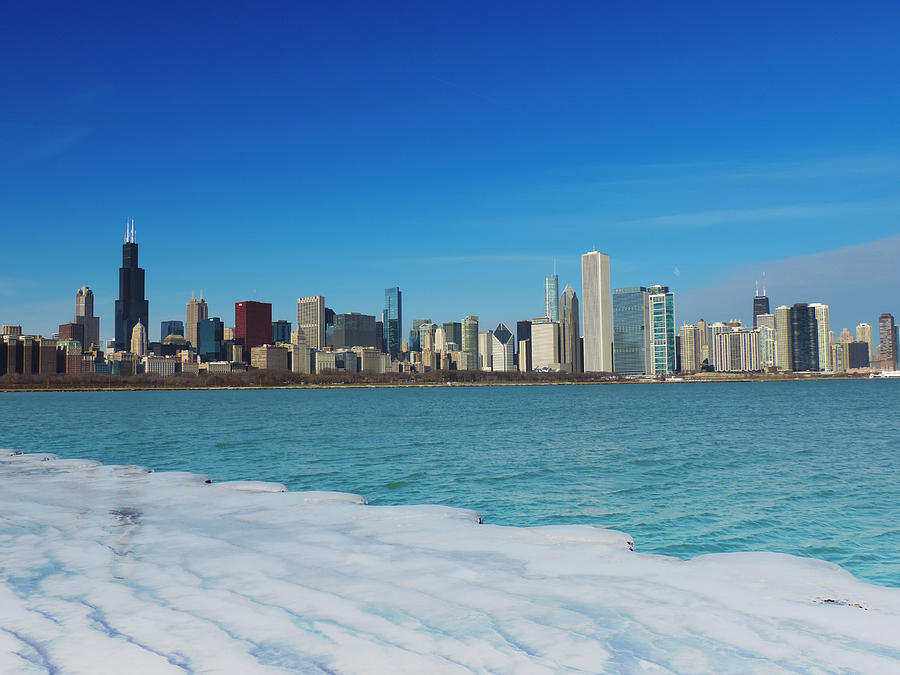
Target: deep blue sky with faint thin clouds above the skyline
x,y
456,151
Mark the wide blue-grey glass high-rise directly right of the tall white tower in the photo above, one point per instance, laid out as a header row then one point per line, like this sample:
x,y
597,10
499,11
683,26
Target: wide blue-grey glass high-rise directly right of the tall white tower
x,y
631,330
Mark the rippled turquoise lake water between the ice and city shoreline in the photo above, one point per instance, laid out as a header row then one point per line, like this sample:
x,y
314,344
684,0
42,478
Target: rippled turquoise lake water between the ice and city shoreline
x,y
809,468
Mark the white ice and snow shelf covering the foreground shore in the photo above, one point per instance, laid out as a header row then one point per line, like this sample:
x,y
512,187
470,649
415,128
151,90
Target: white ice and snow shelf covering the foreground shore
x,y
112,569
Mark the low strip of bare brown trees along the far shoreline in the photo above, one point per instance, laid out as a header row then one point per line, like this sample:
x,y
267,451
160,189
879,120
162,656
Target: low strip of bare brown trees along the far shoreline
x,y
256,379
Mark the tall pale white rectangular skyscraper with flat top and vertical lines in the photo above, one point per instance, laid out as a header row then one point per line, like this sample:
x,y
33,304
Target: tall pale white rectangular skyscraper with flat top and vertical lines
x,y
597,302
